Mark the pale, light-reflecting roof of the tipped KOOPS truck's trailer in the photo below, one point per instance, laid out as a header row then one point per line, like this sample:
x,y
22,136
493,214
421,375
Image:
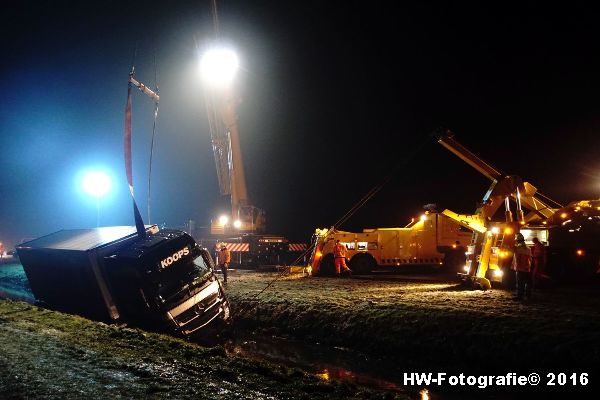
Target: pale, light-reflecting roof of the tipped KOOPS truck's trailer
x,y
80,239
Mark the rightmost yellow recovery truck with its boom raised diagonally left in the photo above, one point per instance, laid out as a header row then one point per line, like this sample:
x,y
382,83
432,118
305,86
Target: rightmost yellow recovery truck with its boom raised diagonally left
x,y
489,253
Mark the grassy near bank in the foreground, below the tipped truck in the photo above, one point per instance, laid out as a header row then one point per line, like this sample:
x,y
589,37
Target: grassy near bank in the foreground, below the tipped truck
x,y
50,355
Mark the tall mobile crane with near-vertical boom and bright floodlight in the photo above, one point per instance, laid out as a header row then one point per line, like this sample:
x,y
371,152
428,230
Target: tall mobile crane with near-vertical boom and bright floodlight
x,y
243,231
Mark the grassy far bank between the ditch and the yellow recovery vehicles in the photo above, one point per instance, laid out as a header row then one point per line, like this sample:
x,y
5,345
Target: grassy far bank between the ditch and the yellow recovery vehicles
x,y
425,325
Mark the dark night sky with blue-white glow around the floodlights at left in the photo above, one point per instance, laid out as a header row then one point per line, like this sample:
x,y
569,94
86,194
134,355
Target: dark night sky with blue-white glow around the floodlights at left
x,y
334,95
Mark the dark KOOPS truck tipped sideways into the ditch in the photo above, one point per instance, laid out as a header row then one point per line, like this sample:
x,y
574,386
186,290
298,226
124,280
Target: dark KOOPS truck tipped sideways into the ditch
x,y
162,282
